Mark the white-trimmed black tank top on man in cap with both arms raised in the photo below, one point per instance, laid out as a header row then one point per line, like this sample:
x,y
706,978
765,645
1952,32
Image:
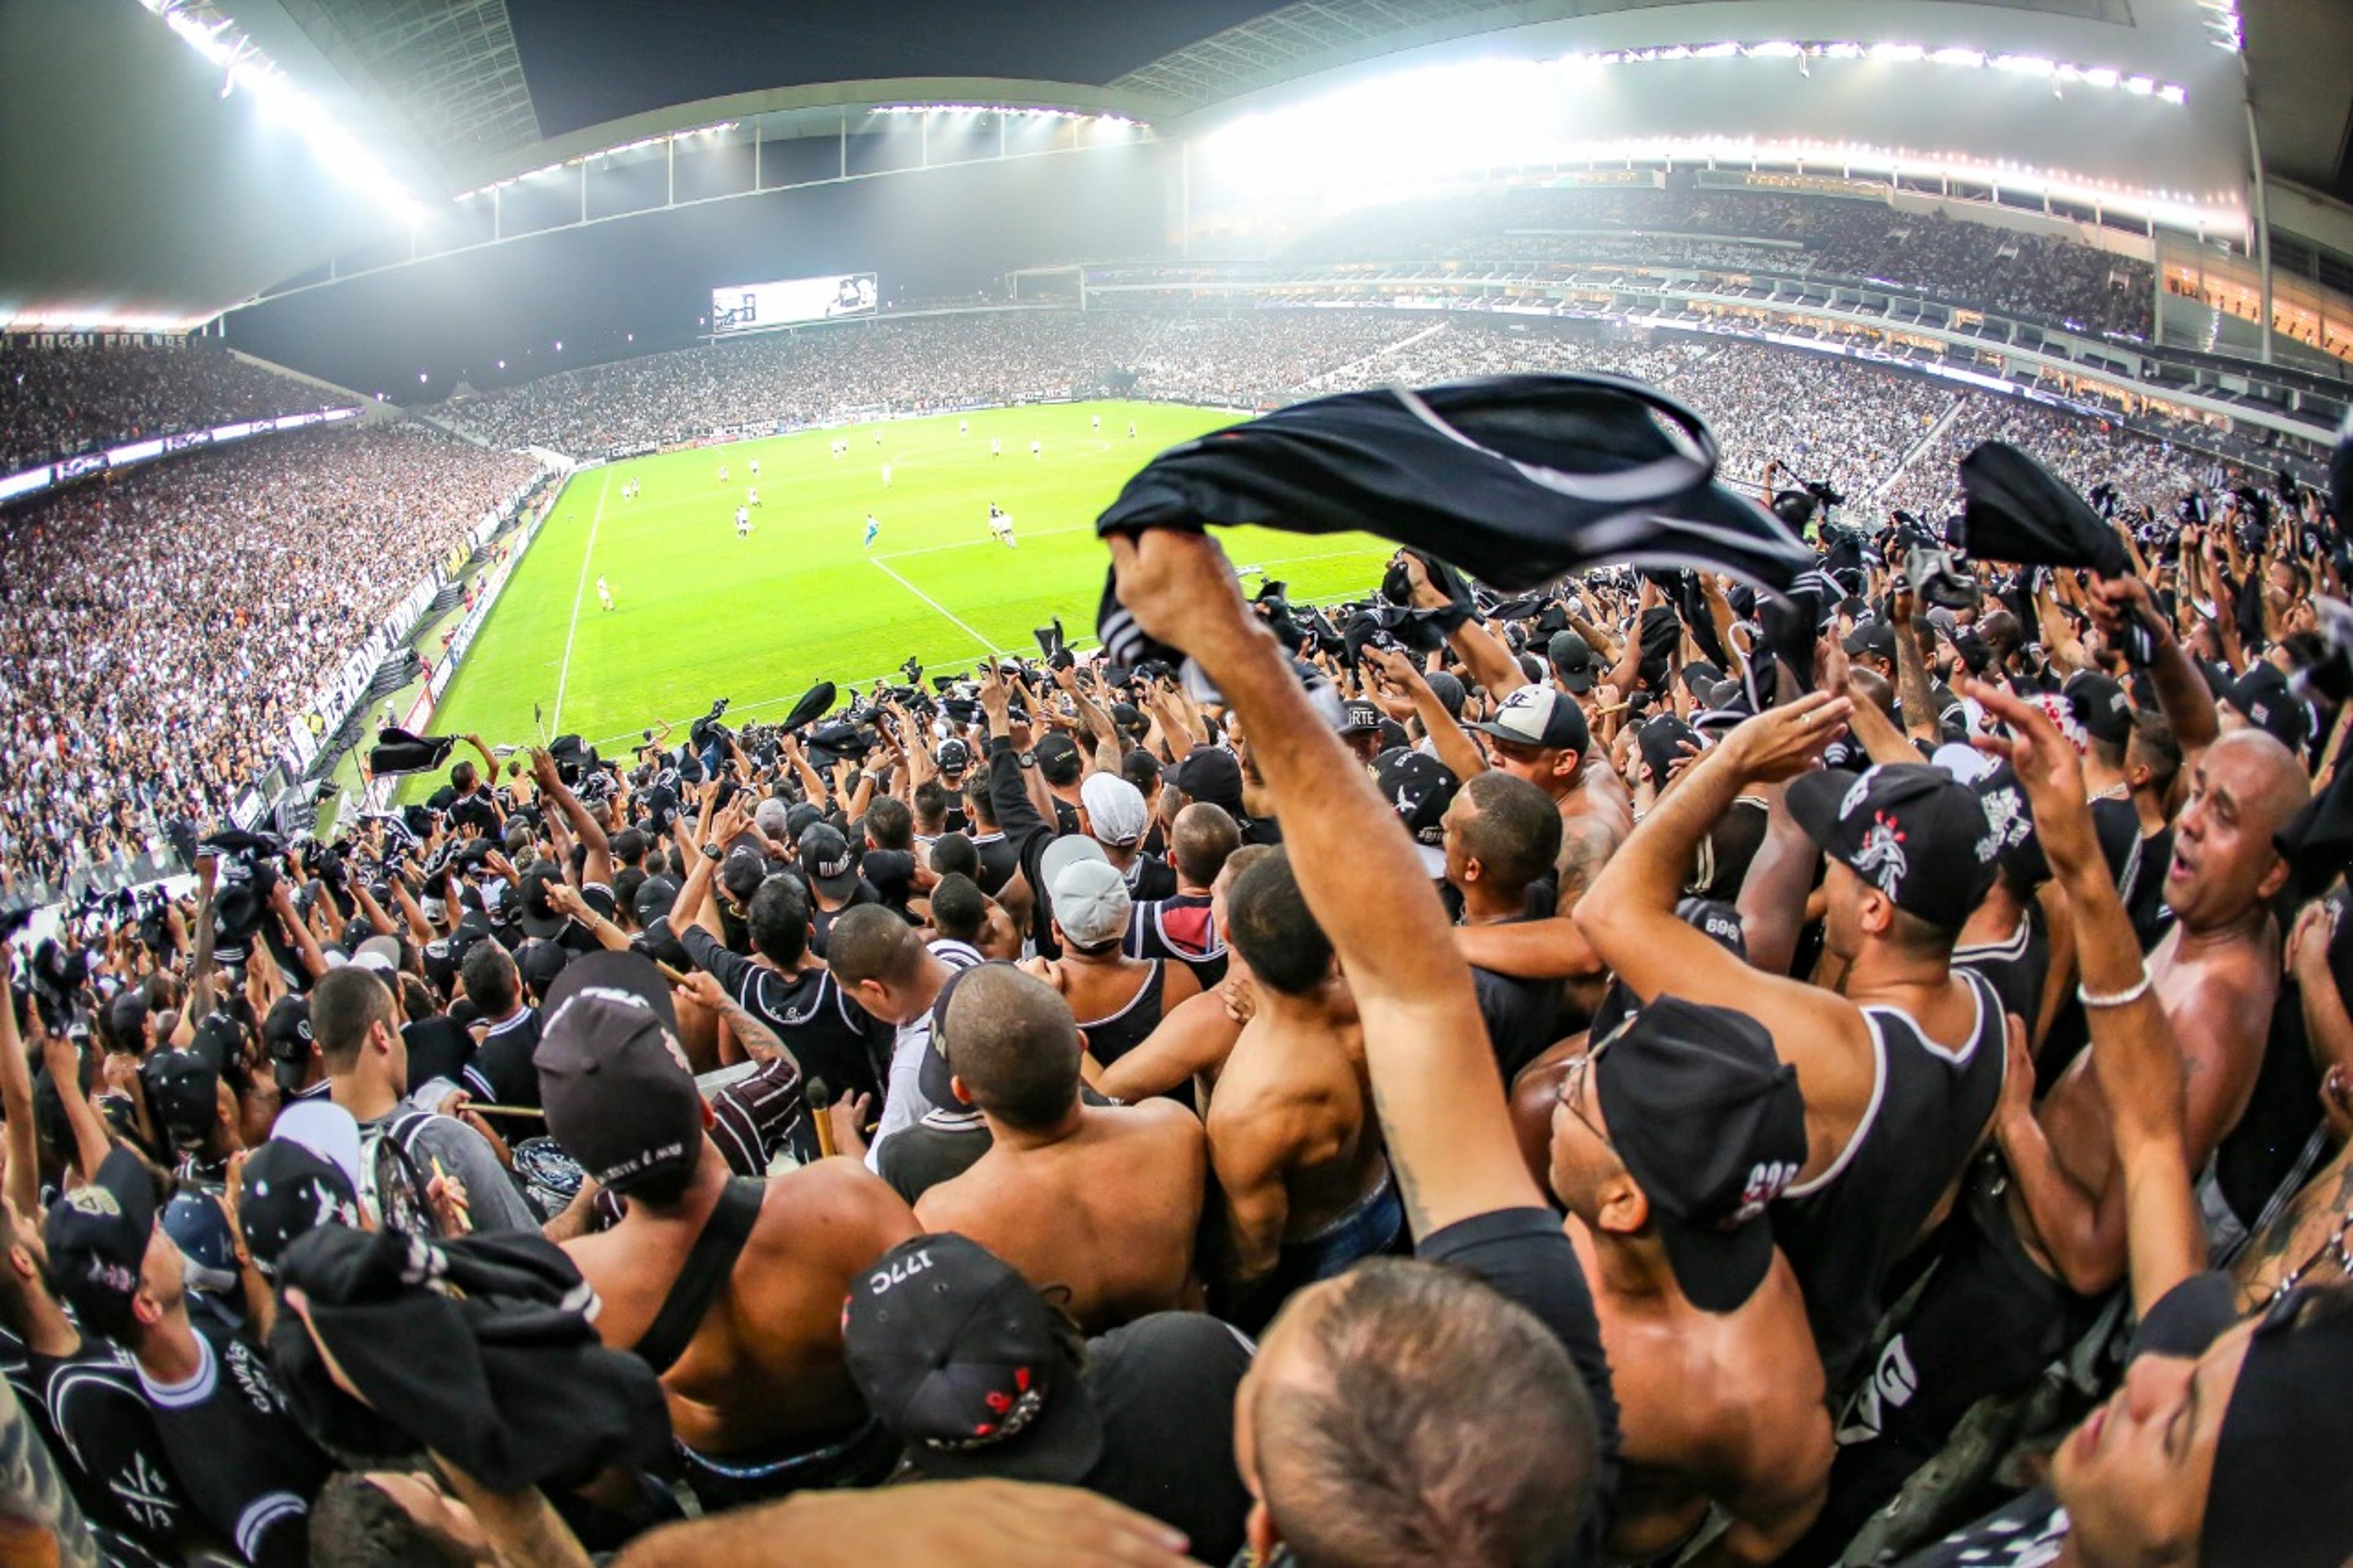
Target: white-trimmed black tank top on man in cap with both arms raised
x,y
1848,1230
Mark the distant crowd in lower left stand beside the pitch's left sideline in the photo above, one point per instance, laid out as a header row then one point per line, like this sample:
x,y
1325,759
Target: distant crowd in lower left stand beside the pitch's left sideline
x,y
161,632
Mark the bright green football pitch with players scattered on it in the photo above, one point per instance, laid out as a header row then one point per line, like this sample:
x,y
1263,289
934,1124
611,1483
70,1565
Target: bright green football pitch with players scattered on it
x,y
702,613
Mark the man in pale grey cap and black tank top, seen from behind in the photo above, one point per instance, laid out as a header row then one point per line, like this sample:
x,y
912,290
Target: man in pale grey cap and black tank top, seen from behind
x,y
1116,999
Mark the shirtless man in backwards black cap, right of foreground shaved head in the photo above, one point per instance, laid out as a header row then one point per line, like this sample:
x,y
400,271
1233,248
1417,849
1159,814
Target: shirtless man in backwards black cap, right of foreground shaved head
x,y
1669,1141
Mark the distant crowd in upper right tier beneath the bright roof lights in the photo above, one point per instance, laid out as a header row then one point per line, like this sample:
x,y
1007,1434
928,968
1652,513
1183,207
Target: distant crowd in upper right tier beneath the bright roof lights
x,y
1957,260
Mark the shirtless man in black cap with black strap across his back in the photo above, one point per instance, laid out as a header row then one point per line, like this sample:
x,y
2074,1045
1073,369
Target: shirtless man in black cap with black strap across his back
x,y
733,1291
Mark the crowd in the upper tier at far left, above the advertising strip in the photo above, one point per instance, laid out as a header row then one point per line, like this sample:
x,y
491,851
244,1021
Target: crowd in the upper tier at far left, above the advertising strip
x,y
65,401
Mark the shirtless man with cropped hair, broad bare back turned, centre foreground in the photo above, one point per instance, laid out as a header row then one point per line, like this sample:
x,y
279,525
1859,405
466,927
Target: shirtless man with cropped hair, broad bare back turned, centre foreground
x,y
1100,1202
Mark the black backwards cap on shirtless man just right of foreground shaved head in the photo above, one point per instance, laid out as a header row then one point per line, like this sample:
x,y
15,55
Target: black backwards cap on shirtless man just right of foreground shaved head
x,y
1712,1127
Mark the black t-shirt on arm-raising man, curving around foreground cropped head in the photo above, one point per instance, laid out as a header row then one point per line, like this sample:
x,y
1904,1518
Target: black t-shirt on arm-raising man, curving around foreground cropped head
x,y
1526,1256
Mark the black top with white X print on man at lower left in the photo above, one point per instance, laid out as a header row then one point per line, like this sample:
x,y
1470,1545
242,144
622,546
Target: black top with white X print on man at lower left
x,y
236,1449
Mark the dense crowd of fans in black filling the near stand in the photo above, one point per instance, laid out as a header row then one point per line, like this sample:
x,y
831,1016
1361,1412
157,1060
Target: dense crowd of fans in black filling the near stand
x,y
1827,1063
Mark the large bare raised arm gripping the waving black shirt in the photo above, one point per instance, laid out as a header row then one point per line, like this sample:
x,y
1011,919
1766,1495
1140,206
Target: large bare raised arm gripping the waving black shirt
x,y
1434,1079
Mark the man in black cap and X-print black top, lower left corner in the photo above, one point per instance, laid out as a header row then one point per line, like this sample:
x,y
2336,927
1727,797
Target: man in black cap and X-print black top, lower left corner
x,y
220,1414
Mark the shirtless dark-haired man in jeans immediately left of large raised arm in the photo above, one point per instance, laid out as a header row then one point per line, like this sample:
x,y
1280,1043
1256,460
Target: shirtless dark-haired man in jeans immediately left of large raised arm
x,y
1293,1136
